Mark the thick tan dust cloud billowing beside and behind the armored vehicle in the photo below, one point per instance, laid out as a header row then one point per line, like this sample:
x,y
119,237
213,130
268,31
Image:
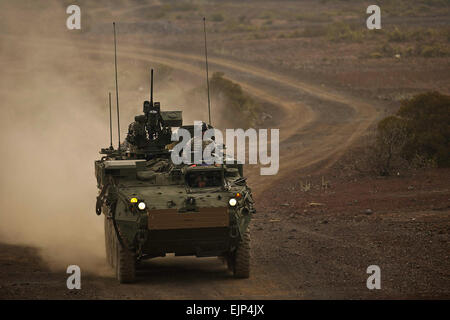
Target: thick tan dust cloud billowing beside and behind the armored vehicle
x,y
54,118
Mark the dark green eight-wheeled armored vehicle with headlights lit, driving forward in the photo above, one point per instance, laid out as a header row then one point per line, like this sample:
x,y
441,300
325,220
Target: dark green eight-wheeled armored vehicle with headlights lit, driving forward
x,y
152,207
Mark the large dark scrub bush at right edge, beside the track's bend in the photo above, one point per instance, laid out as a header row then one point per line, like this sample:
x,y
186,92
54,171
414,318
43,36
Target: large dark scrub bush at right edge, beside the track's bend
x,y
417,136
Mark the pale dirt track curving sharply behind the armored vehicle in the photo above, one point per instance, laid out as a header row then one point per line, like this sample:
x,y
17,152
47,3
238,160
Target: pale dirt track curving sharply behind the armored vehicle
x,y
319,124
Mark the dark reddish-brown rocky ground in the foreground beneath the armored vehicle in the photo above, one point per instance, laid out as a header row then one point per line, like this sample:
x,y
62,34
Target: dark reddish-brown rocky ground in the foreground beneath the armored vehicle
x,y
314,244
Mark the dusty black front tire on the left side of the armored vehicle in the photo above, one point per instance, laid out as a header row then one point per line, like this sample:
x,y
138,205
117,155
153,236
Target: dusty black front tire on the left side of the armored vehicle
x,y
125,263
